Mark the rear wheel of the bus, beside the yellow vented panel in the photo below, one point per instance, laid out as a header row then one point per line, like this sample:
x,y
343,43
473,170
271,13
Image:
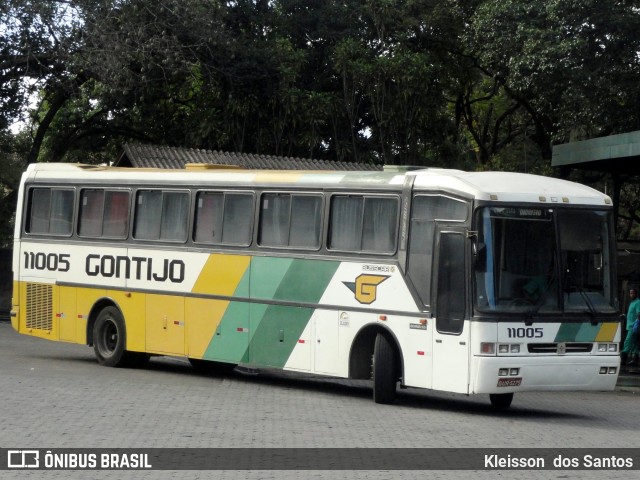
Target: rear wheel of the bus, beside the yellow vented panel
x,y
109,339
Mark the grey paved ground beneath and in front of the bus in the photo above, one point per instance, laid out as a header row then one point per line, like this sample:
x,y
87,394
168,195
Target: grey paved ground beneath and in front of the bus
x,y
55,395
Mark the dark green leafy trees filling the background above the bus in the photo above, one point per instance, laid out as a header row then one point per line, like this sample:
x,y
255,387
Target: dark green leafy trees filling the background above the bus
x,y
473,84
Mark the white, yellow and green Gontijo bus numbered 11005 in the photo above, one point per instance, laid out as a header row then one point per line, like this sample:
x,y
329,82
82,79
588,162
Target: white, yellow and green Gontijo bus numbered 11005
x,y
468,282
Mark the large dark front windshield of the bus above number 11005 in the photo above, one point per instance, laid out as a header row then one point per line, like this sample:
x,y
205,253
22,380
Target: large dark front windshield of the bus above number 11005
x,y
531,260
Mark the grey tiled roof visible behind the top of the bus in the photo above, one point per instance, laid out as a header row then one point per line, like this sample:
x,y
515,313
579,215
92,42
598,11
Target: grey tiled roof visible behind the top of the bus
x,y
154,156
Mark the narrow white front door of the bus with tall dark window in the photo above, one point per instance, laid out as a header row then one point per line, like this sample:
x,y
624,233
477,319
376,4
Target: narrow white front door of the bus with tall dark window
x,y
451,345
